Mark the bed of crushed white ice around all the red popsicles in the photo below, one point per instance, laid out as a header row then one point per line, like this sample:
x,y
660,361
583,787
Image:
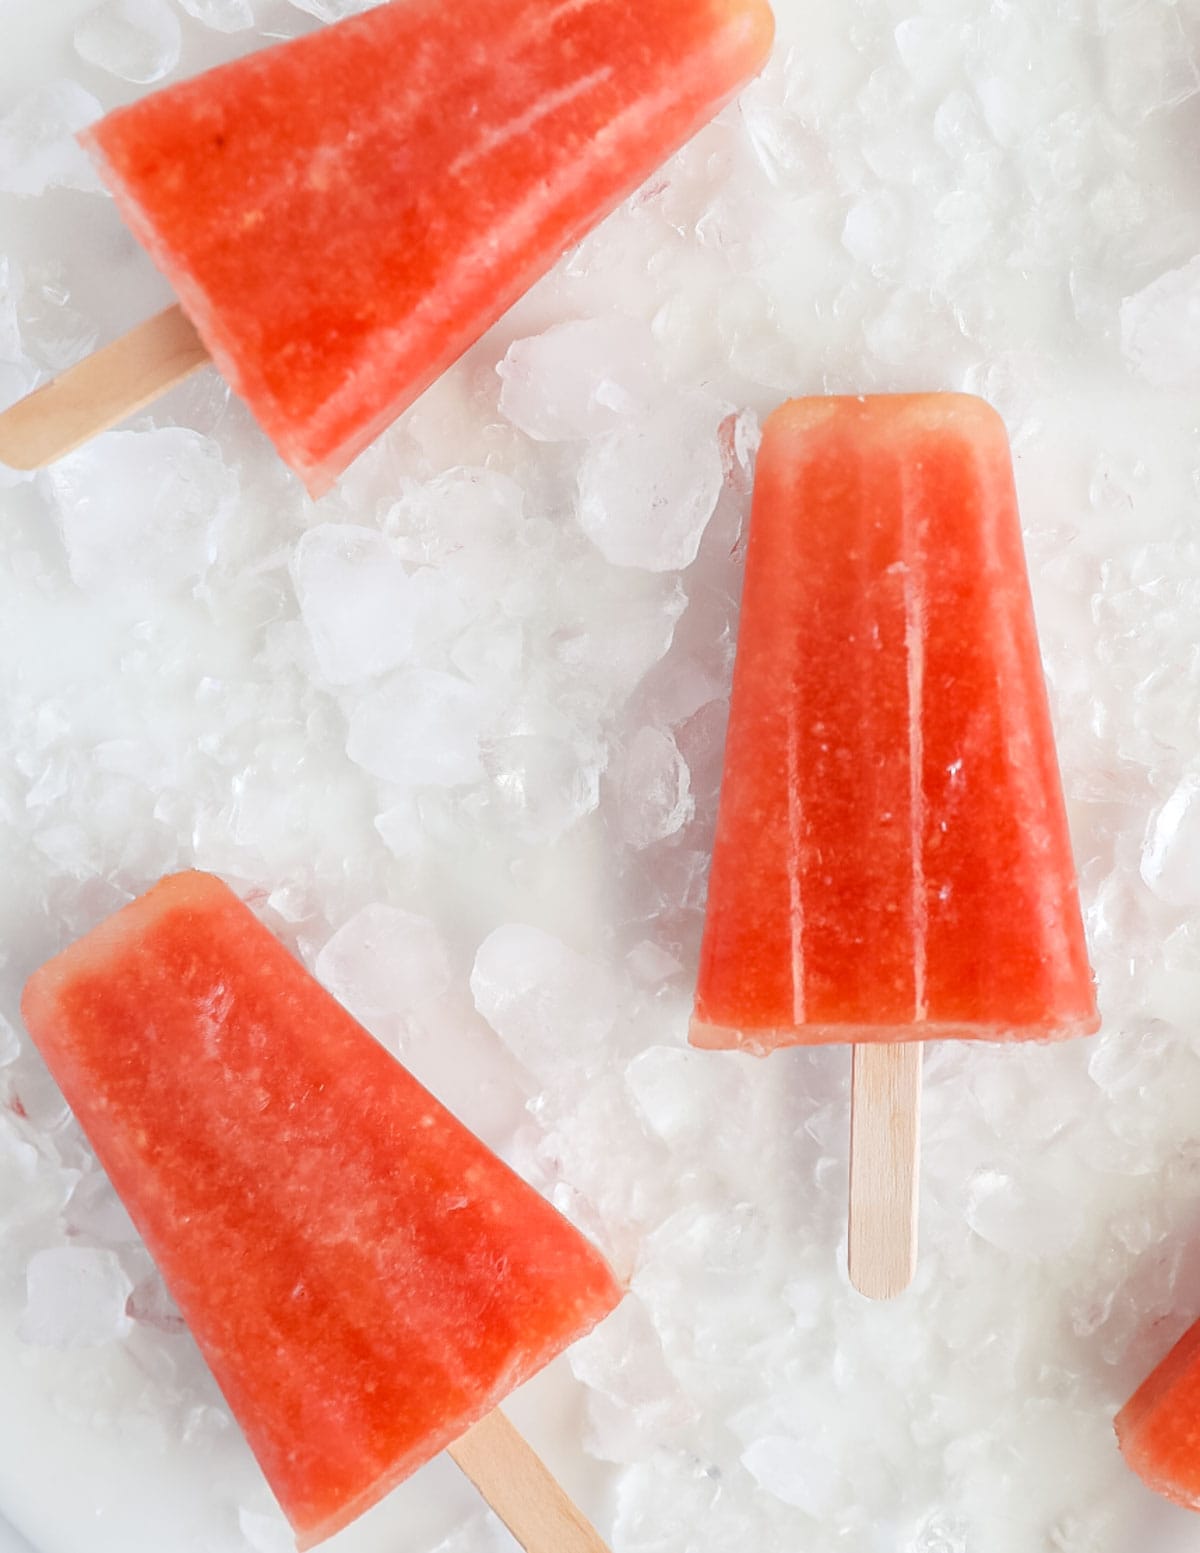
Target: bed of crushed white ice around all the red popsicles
x,y
457,732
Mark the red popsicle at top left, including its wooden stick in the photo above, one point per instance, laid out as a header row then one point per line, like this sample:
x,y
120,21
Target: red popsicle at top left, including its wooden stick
x,y
345,214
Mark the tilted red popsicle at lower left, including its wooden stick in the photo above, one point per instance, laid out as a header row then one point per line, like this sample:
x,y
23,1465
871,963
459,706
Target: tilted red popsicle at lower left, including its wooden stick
x,y
364,1277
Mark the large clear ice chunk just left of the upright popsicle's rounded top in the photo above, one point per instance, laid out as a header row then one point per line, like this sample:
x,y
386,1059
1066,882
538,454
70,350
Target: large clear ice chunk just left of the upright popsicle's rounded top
x,y
648,492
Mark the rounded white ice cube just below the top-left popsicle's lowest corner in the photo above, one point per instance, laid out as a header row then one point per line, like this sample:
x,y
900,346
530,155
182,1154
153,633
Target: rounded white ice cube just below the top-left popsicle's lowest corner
x,y
356,600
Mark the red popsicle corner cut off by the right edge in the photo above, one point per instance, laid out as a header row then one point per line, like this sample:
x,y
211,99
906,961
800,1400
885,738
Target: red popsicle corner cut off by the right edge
x,y
1159,1428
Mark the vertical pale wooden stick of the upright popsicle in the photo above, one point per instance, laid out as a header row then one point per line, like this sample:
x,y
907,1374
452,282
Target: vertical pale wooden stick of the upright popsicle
x,y
886,1147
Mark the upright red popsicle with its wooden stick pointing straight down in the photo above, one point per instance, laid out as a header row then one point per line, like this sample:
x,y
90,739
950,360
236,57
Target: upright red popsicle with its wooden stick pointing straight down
x,y
892,860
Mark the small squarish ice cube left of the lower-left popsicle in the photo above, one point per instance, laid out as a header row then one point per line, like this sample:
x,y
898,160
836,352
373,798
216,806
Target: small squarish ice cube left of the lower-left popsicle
x,y
75,1298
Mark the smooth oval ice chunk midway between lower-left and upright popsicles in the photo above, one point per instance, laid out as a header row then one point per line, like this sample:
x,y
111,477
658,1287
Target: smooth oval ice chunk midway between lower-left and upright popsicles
x,y
549,1004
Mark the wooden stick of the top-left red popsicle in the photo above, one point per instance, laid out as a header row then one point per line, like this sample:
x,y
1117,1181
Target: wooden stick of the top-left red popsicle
x,y
100,391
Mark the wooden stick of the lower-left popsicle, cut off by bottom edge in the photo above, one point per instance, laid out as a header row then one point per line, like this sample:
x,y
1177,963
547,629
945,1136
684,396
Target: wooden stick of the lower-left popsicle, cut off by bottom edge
x,y
515,1481
